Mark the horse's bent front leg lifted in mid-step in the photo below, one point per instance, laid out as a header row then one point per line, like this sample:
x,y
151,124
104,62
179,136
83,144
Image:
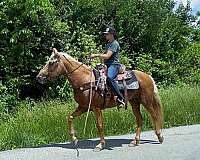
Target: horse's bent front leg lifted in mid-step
x,y
70,119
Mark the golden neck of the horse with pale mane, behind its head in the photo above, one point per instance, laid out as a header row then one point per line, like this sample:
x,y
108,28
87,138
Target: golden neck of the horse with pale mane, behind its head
x,y
80,75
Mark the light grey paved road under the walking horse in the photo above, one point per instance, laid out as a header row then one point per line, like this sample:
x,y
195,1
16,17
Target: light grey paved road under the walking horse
x,y
181,143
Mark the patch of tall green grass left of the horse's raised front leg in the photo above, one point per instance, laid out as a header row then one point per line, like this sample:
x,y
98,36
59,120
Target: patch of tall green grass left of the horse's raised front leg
x,y
30,125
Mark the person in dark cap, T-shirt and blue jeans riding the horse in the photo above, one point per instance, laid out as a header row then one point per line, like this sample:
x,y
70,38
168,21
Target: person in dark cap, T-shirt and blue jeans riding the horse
x,y
111,60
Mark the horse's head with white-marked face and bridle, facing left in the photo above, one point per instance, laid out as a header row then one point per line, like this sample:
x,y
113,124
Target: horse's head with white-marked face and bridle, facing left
x,y
52,69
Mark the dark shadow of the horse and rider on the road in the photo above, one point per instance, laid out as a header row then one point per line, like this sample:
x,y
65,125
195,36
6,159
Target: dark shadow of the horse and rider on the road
x,y
90,144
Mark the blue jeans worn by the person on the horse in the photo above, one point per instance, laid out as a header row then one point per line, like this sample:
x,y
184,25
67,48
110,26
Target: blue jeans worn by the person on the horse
x,y
113,70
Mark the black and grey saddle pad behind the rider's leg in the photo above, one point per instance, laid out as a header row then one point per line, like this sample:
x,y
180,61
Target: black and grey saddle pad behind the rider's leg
x,y
131,83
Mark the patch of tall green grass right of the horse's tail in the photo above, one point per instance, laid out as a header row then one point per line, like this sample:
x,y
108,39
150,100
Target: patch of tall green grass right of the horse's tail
x,y
181,105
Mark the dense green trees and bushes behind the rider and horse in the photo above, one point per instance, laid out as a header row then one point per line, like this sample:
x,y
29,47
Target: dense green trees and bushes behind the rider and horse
x,y
152,35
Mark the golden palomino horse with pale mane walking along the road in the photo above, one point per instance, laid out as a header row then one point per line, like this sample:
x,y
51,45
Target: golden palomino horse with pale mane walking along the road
x,y
79,74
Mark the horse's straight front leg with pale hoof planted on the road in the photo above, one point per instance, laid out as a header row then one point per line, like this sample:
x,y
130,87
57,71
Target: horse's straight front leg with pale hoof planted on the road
x,y
99,124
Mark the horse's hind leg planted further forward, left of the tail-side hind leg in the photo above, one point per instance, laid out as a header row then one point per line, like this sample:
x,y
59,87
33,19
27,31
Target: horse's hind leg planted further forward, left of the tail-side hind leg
x,y
136,110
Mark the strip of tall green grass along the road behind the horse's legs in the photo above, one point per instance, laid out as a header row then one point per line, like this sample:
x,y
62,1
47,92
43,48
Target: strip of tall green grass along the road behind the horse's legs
x,y
40,123
